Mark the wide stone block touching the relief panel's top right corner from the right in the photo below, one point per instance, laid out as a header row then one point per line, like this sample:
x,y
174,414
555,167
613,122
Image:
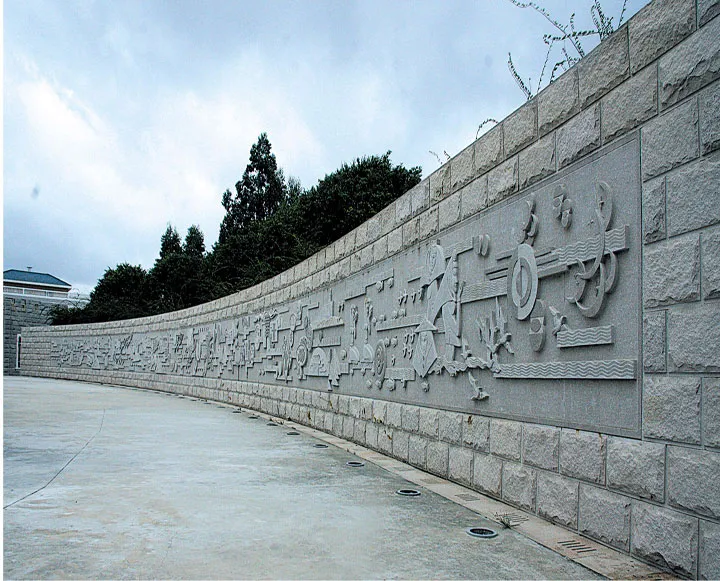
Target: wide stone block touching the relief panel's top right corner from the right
x,y
670,140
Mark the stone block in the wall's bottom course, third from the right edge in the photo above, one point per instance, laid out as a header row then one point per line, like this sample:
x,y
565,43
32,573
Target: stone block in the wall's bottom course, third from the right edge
x,y
605,516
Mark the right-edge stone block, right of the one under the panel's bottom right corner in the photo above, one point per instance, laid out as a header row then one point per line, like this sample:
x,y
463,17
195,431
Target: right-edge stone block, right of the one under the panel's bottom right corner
x,y
693,477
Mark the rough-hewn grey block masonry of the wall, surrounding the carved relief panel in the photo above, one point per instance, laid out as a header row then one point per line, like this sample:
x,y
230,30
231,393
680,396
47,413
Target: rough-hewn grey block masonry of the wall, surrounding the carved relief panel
x,y
651,492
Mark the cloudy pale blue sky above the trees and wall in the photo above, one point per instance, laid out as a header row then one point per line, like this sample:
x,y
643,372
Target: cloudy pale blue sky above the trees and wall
x,y
121,116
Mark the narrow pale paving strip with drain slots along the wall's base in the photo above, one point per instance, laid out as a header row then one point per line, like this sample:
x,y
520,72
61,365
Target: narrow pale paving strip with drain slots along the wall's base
x,y
594,556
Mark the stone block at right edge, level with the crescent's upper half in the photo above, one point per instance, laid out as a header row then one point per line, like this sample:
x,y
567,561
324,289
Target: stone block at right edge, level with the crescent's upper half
x,y
692,194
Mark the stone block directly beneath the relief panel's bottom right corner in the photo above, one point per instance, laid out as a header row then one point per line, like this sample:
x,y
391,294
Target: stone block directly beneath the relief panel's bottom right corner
x,y
636,468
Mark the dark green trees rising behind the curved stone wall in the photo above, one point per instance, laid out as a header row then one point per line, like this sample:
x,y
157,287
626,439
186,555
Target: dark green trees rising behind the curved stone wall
x,y
271,223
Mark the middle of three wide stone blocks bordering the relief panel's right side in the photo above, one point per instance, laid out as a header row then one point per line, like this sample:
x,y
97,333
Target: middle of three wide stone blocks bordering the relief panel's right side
x,y
671,272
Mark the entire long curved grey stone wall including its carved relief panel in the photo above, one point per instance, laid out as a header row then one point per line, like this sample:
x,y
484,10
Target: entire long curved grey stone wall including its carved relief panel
x,y
536,320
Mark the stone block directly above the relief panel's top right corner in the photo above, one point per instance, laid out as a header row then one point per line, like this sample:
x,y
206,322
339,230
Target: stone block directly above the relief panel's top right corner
x,y
630,104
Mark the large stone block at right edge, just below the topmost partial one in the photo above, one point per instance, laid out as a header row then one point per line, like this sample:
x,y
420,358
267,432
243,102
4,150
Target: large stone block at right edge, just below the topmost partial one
x,y
690,66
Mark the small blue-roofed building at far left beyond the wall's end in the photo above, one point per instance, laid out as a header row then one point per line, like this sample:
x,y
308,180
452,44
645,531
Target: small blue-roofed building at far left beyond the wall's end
x,y
28,298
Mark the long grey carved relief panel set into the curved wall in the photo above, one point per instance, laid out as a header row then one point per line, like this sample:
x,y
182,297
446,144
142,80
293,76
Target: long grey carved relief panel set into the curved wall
x,y
530,310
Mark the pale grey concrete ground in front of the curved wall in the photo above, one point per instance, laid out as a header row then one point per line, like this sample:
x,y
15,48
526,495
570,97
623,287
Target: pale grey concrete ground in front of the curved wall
x,y
146,485
